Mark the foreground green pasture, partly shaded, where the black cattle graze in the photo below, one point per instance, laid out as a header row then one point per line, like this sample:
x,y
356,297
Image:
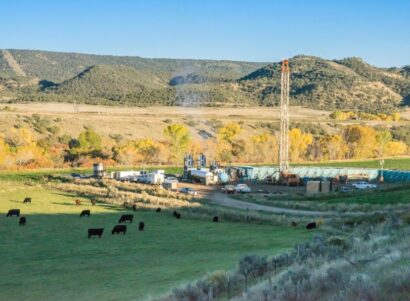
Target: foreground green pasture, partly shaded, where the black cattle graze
x,y
51,257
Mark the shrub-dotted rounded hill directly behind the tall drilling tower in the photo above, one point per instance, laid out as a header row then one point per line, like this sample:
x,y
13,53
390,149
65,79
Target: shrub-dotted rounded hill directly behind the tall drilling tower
x,y
324,84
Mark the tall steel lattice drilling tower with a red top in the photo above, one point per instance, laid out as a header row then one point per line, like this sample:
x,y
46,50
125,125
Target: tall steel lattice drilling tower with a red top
x,y
284,119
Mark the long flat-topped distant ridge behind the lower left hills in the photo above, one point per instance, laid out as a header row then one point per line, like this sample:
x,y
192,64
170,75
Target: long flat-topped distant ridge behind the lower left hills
x,y
60,66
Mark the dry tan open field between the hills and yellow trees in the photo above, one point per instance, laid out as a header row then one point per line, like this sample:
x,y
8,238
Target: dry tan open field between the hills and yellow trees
x,y
134,123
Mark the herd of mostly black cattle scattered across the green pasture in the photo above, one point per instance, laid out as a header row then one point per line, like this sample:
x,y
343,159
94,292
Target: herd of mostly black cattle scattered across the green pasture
x,y
120,228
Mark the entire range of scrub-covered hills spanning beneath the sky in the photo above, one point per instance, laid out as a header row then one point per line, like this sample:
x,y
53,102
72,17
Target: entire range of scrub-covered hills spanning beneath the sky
x,y
349,84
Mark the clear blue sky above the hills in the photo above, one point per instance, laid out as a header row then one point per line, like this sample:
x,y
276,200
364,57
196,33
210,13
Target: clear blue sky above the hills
x,y
253,30
